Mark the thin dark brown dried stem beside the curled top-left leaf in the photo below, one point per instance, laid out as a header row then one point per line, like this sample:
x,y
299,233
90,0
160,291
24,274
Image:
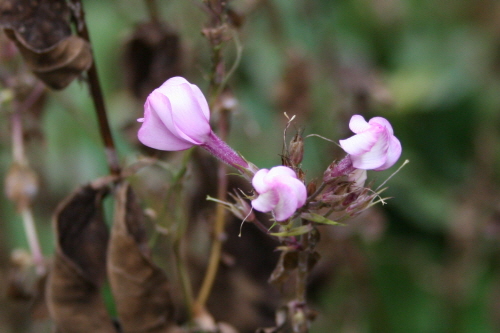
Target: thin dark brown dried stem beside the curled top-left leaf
x,y
97,97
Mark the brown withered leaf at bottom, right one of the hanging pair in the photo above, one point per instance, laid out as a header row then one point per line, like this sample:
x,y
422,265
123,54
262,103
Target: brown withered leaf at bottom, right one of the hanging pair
x,y
139,287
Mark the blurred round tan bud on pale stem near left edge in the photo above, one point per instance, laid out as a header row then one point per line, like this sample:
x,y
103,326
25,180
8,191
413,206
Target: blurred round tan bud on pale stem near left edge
x,y
21,184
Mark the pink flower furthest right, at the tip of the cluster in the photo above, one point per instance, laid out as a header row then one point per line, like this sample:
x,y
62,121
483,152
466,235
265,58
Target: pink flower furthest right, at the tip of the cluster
x,y
374,147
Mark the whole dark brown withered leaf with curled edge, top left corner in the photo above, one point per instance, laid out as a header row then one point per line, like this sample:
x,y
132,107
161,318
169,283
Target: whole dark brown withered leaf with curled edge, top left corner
x,y
42,33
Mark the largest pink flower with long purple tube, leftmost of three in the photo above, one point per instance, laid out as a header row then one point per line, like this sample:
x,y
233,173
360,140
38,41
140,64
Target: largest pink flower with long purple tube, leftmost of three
x,y
177,117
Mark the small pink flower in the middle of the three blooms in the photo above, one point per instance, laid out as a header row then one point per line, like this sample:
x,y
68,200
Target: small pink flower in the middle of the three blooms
x,y
279,191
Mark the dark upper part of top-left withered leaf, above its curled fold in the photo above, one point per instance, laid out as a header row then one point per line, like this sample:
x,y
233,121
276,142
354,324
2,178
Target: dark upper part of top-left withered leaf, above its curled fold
x,y
39,24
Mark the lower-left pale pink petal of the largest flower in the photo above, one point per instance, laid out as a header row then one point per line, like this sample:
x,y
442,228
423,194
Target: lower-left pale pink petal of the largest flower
x,y
153,133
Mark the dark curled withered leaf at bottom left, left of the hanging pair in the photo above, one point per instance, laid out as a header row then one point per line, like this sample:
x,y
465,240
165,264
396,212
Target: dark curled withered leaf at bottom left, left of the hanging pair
x,y
73,288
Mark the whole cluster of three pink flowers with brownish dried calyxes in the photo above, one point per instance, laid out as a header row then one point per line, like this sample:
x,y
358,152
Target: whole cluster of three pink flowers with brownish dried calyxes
x,y
177,117
